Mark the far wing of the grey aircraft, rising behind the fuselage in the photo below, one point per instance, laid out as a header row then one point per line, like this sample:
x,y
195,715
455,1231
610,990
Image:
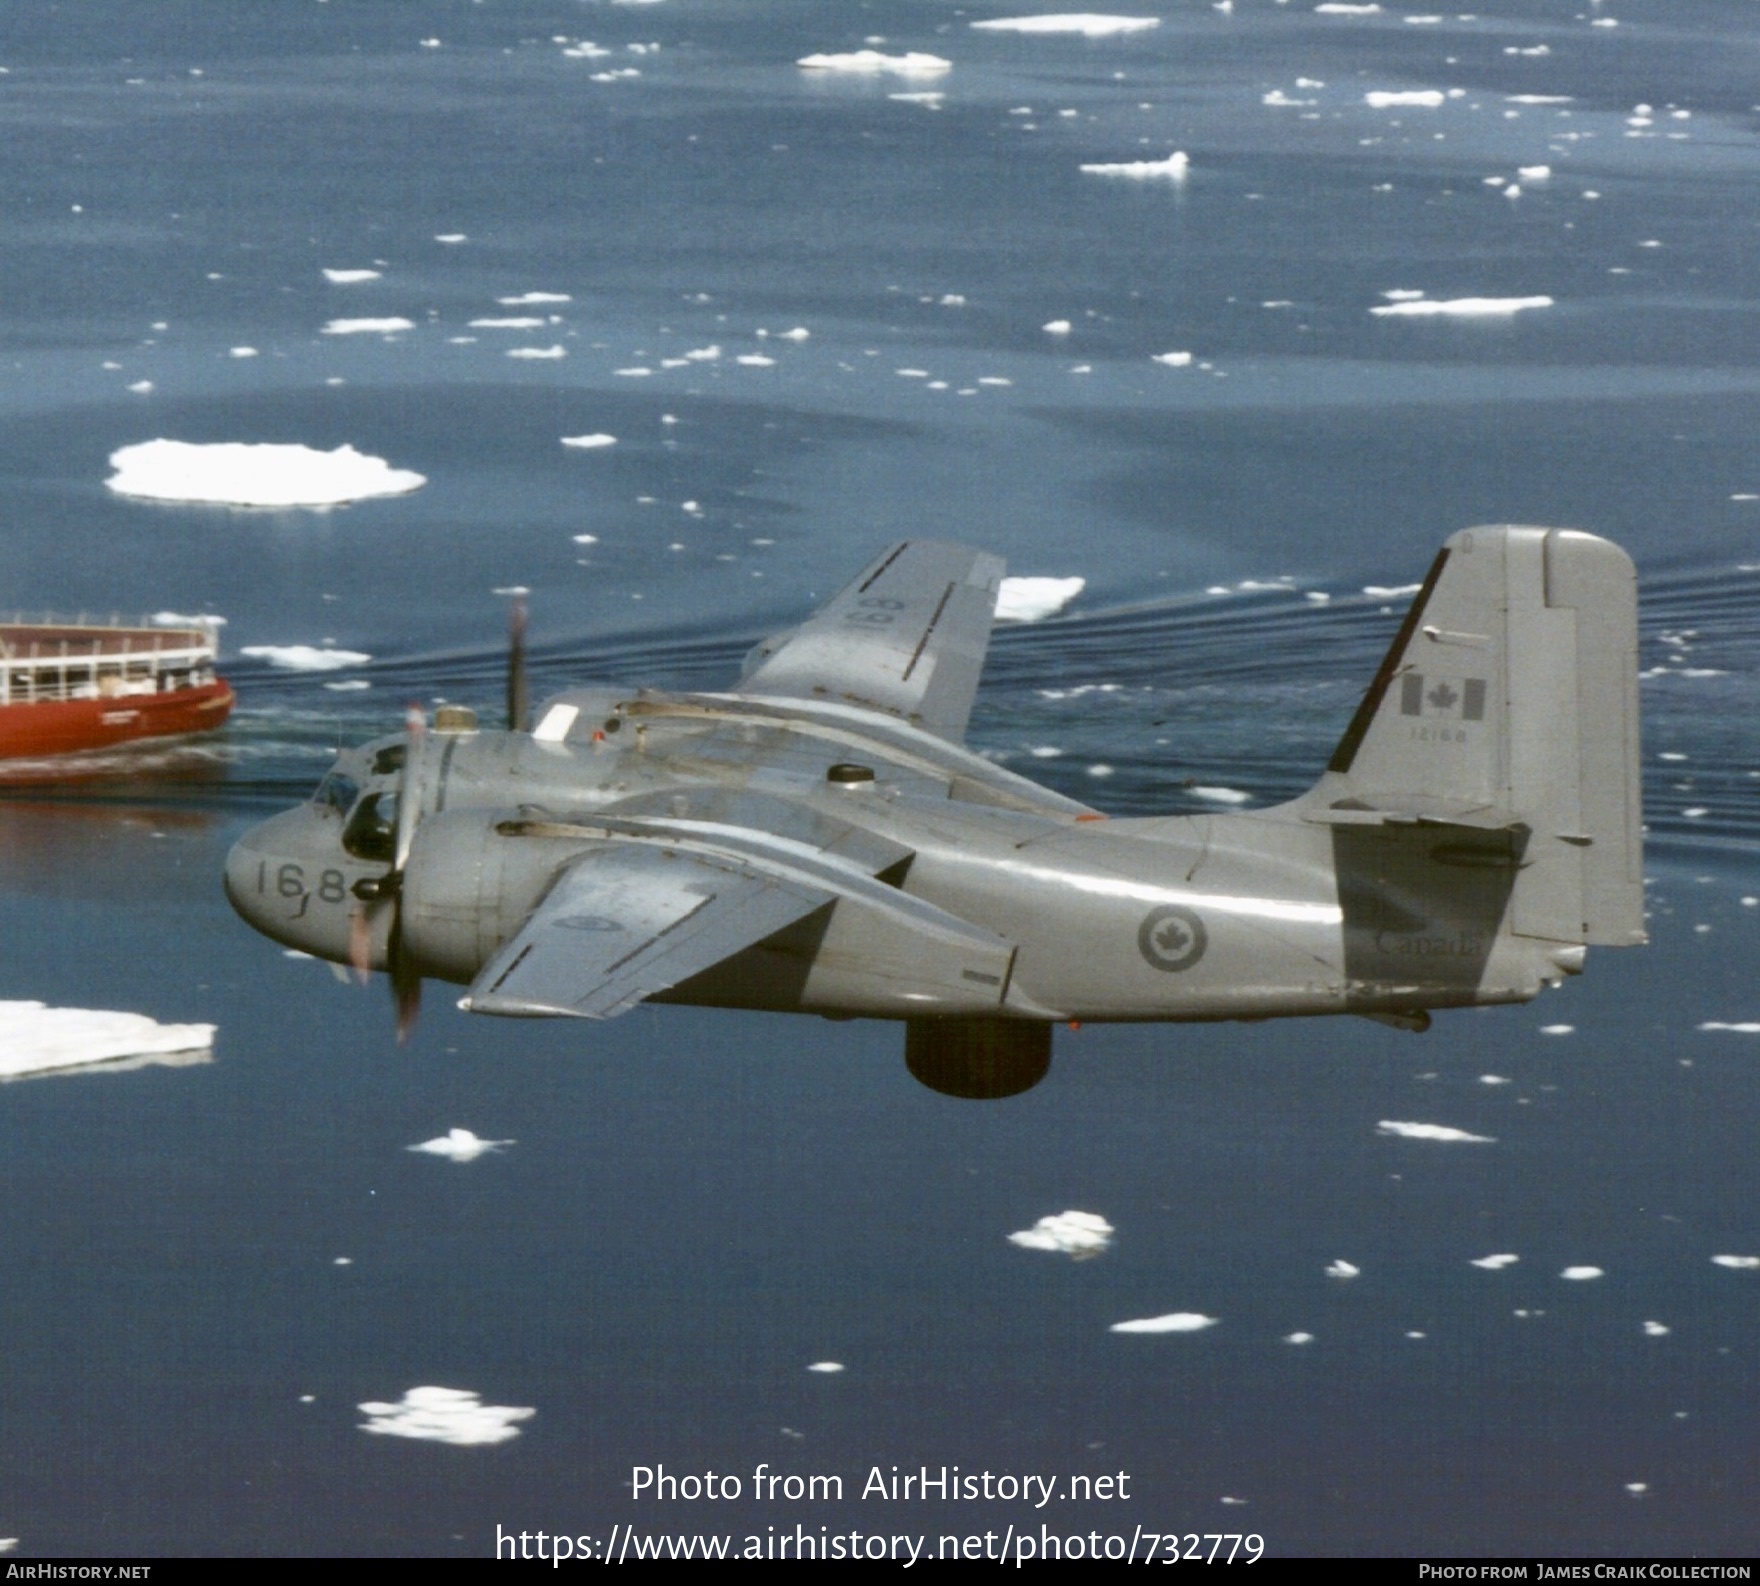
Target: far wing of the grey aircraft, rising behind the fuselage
x,y
907,638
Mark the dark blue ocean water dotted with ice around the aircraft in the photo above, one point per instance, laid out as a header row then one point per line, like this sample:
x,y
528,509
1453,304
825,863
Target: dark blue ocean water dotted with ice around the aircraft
x,y
210,1268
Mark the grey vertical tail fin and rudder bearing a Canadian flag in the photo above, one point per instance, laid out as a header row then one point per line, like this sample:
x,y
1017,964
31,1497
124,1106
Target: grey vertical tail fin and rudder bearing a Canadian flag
x,y
1509,701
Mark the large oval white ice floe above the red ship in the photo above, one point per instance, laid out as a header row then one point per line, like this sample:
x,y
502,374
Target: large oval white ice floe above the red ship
x,y
242,474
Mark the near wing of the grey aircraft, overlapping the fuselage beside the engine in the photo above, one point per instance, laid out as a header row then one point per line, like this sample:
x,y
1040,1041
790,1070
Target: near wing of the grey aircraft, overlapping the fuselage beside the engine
x,y
627,921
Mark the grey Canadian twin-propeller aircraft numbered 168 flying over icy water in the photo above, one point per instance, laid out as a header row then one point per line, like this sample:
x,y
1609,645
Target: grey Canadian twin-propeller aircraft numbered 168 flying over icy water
x,y
819,839
